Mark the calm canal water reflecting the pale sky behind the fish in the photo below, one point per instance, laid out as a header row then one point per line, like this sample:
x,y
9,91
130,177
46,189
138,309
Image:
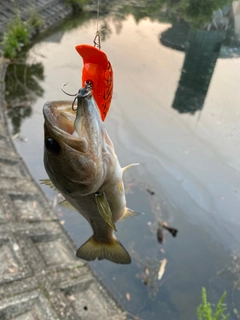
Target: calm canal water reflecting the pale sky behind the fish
x,y
175,112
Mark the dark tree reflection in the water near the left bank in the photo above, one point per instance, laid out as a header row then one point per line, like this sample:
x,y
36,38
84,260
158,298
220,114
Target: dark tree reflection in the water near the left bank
x,y
22,89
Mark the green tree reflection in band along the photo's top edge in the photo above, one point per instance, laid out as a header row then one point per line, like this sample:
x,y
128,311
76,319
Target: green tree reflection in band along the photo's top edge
x,y
196,13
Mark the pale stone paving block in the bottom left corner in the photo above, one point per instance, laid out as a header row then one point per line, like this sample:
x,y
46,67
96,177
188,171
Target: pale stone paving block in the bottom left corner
x,y
30,306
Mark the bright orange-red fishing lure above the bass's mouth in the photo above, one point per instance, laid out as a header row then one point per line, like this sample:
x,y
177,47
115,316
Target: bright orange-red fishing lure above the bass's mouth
x,y
97,71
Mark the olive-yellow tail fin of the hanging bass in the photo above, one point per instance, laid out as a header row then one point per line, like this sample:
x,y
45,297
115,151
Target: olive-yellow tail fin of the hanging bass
x,y
113,251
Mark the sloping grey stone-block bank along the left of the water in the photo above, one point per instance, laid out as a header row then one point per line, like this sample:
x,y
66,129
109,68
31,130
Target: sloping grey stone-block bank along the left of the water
x,y
40,278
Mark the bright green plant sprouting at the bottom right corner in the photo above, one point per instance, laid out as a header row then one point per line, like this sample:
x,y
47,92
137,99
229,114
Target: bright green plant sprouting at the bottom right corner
x,y
204,311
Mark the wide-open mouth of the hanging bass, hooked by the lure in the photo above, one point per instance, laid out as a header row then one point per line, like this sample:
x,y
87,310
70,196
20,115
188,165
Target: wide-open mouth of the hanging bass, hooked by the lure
x,y
77,124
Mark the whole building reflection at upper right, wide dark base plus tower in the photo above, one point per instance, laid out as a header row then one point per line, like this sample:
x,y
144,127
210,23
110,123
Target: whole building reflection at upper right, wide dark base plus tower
x,y
202,49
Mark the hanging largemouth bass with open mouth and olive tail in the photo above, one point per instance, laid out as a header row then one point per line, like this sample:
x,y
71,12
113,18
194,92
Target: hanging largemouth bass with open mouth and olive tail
x,y
80,160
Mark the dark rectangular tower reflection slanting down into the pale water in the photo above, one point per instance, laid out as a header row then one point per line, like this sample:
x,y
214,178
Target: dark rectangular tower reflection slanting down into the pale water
x,y
202,51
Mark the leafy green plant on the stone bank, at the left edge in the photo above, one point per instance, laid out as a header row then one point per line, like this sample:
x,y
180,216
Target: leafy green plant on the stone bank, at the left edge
x,y
17,35
